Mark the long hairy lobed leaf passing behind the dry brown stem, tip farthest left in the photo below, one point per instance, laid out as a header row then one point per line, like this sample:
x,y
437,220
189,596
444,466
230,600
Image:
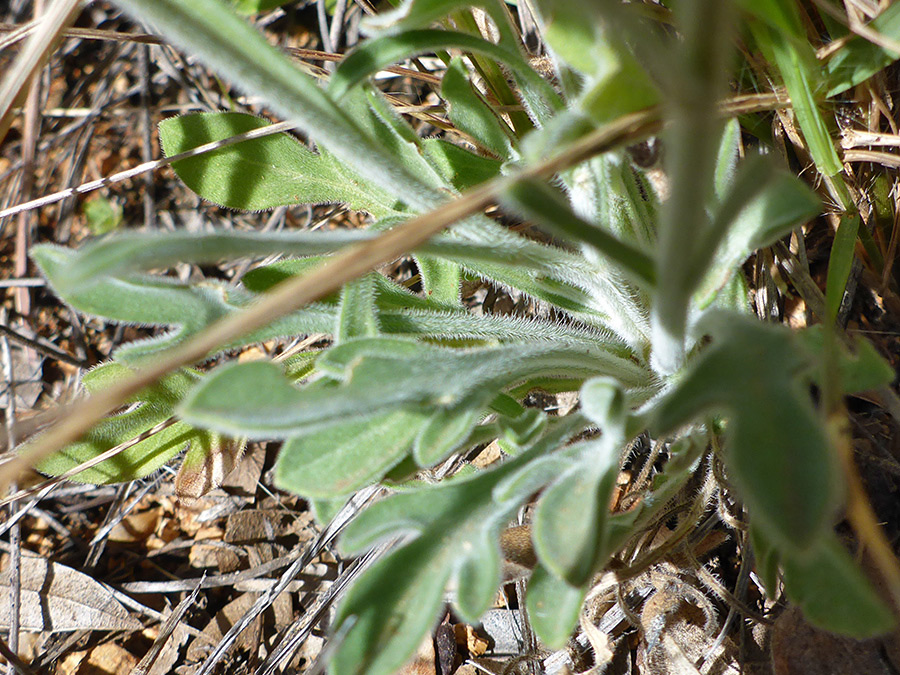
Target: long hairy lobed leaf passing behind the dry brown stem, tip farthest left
x,y
191,307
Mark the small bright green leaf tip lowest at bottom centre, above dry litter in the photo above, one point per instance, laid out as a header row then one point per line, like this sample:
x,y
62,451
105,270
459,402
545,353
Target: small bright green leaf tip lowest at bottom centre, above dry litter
x,y
553,607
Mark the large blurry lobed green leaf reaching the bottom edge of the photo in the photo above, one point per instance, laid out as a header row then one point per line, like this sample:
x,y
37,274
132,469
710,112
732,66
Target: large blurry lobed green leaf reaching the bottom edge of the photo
x,y
453,529
